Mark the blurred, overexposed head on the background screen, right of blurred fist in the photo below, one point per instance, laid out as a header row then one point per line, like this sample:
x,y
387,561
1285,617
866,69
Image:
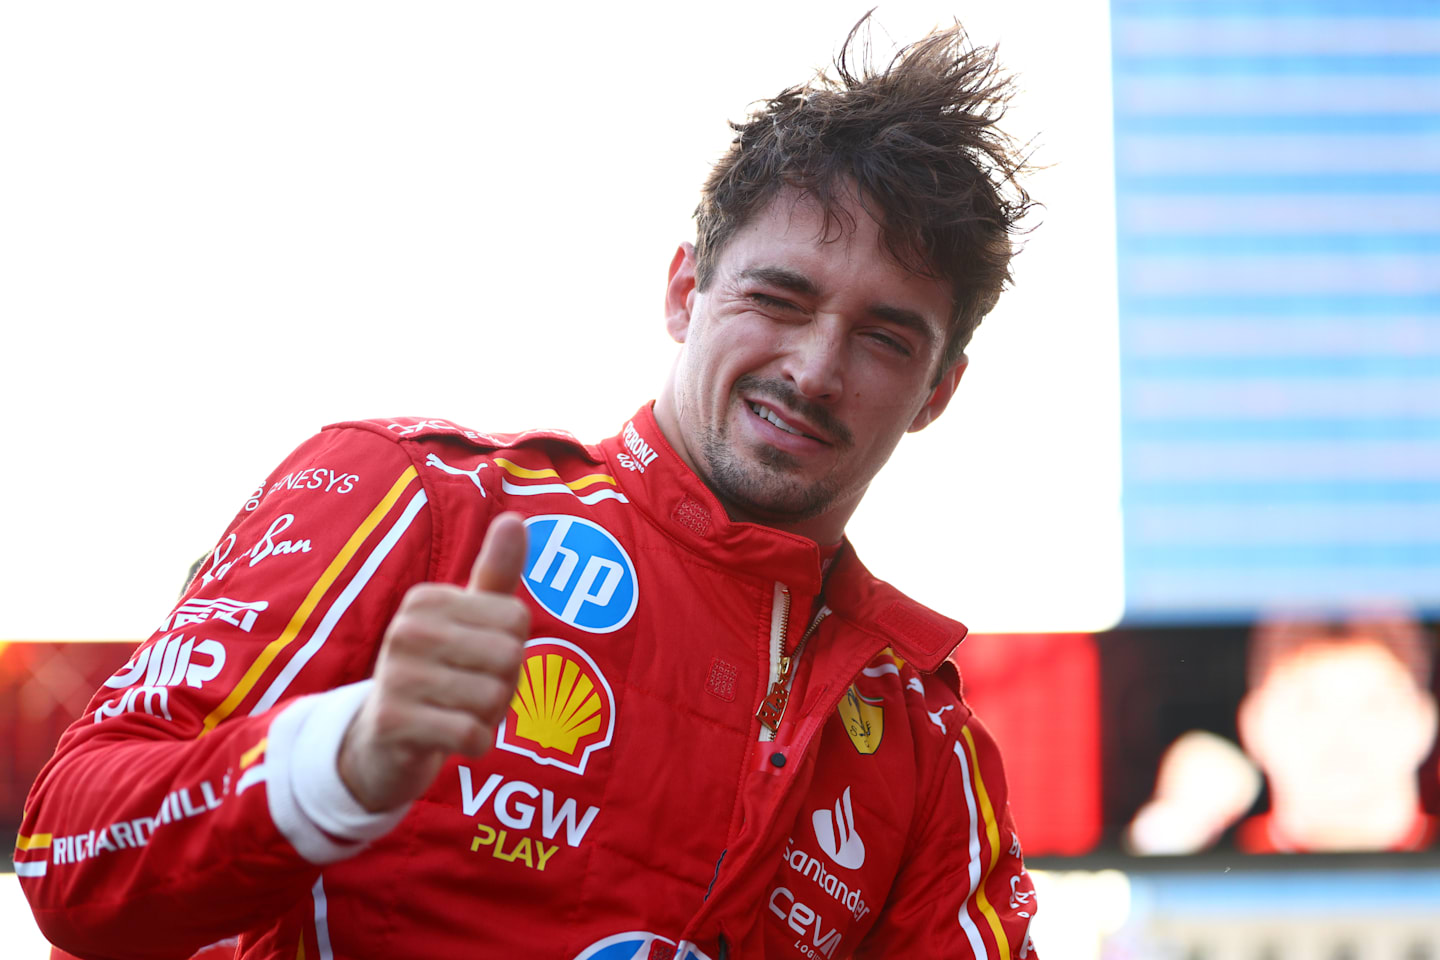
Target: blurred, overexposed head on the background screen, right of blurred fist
x,y
1340,779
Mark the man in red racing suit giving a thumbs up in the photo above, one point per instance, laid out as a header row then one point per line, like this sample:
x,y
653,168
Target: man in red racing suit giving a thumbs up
x,y
440,693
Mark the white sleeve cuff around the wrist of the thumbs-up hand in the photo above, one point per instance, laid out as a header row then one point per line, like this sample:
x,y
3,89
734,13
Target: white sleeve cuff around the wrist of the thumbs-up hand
x,y
309,802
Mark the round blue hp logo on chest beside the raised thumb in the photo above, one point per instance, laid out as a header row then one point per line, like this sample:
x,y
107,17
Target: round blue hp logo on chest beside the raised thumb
x,y
578,572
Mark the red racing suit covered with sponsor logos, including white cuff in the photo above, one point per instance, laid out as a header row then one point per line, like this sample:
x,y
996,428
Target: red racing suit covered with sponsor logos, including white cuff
x,y
634,805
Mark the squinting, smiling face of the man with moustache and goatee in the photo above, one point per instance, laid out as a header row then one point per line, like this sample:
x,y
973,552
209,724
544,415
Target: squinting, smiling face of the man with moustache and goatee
x,y
804,363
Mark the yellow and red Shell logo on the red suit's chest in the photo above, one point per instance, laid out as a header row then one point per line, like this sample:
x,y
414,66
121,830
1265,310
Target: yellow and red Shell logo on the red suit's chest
x,y
564,709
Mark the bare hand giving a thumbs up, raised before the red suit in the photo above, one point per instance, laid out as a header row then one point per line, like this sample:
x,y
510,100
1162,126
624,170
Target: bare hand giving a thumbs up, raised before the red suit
x,y
446,677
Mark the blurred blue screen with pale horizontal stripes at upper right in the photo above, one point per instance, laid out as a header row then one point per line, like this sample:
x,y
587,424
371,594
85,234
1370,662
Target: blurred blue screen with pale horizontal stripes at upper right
x,y
1278,188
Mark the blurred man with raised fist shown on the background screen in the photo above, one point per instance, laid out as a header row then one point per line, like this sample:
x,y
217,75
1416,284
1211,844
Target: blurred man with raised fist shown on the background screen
x,y
1338,779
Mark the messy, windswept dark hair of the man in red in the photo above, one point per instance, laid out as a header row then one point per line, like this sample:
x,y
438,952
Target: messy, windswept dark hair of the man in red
x,y
919,140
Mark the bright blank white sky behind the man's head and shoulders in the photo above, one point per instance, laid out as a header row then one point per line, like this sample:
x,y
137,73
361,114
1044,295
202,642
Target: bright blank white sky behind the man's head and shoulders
x,y
225,227
